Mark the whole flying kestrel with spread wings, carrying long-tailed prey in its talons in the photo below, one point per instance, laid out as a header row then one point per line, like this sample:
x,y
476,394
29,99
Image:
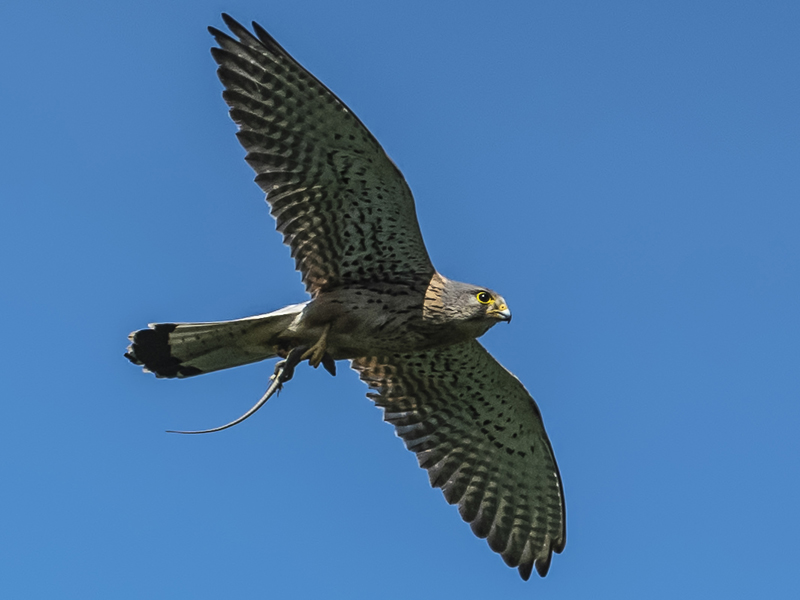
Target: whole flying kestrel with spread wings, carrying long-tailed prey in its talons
x,y
348,216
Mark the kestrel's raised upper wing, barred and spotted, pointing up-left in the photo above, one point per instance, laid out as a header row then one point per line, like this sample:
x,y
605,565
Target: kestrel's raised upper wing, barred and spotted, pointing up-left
x,y
342,206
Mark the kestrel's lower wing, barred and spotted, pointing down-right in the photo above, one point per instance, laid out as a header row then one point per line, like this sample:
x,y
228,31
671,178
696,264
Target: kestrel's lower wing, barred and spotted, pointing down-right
x,y
480,435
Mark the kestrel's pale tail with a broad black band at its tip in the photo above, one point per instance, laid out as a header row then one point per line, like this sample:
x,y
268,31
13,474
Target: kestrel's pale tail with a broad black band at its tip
x,y
188,349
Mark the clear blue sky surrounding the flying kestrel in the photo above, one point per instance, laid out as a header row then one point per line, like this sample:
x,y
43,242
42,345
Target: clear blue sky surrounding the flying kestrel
x,y
626,174
